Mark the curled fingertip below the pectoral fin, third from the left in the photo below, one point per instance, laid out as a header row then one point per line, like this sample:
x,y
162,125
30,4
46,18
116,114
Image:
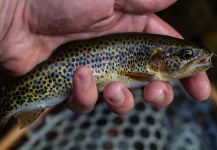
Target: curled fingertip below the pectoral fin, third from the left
x,y
158,94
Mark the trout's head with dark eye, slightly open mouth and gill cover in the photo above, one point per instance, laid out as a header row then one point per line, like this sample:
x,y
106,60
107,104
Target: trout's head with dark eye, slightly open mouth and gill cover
x,y
181,61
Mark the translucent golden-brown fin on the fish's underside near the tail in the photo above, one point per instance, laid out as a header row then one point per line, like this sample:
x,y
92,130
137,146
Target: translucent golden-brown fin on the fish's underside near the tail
x,y
27,118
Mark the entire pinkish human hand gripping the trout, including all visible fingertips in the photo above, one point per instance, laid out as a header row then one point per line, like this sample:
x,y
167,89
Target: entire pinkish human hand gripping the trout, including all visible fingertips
x,y
30,31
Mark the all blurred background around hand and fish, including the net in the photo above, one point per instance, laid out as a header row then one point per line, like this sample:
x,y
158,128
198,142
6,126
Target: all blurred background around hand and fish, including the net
x,y
184,125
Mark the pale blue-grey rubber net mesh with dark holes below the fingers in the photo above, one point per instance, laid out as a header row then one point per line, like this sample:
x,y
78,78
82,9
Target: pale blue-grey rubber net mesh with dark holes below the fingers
x,y
184,125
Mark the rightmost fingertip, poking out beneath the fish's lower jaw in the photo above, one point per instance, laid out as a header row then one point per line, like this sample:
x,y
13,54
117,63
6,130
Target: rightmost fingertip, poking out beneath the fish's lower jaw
x,y
197,86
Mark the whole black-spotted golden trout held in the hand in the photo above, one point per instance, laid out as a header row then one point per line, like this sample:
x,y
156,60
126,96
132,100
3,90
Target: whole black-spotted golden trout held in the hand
x,y
132,58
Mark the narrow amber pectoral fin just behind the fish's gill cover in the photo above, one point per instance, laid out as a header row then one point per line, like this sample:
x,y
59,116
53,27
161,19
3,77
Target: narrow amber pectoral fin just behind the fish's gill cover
x,y
138,76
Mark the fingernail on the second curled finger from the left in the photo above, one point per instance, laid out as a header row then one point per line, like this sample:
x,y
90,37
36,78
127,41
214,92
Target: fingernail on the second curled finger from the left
x,y
118,97
